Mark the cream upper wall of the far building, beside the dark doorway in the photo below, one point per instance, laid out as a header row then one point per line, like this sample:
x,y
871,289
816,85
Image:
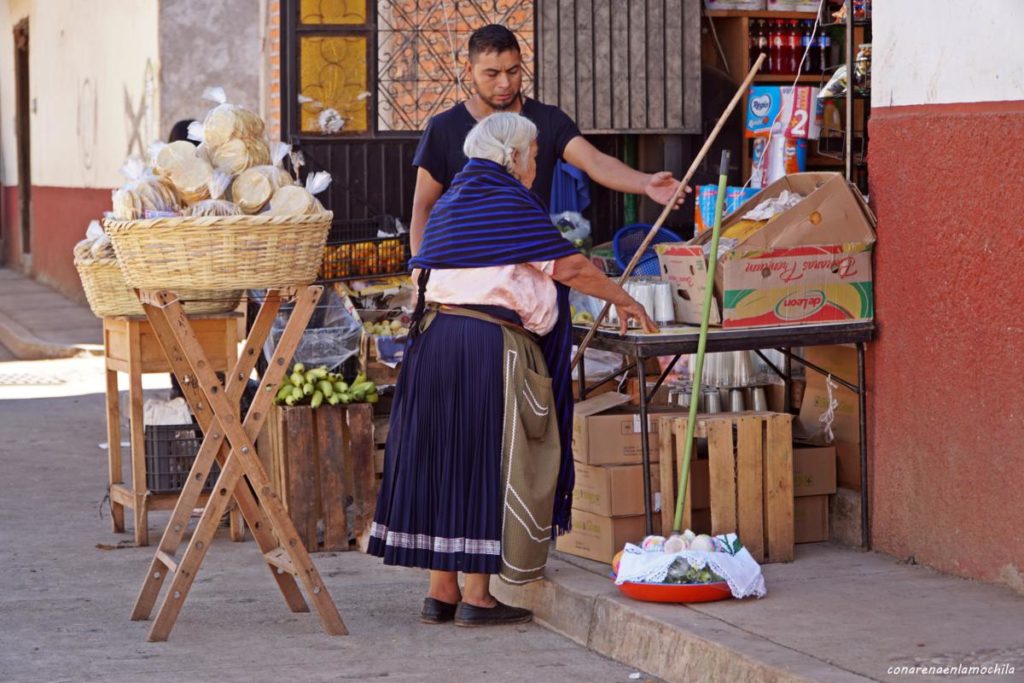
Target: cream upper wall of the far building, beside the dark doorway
x,y
95,74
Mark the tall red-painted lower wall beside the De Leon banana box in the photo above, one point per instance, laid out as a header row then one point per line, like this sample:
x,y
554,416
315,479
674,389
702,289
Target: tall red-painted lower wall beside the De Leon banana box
x,y
947,374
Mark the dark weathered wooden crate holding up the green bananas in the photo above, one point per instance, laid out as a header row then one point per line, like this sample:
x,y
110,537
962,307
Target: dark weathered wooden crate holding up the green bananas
x,y
321,462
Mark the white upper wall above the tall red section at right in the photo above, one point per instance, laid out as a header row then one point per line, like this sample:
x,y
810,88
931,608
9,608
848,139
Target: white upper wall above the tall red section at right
x,y
941,52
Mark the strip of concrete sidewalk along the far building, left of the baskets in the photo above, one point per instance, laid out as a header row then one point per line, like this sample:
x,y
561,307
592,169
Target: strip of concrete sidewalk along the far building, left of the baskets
x,y
38,323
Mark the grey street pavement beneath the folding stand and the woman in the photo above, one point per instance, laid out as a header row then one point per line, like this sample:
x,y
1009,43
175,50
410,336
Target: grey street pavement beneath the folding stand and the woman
x,y
68,583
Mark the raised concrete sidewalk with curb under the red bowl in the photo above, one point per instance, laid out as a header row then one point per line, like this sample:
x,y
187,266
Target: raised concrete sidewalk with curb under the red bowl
x,y
834,615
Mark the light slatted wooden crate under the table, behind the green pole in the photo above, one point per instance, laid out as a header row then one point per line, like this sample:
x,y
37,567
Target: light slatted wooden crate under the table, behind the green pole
x,y
751,472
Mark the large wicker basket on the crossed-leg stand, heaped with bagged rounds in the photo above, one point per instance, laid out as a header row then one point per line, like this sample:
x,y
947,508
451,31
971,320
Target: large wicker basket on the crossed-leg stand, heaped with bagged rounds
x,y
221,252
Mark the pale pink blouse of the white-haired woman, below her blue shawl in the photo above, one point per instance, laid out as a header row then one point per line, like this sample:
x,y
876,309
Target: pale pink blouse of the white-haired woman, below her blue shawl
x,y
527,289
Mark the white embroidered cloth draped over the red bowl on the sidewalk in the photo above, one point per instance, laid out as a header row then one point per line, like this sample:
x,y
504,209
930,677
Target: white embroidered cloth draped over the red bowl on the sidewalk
x,y
735,564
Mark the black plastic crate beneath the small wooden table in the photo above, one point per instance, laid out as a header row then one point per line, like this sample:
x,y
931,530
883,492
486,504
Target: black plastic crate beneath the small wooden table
x,y
170,451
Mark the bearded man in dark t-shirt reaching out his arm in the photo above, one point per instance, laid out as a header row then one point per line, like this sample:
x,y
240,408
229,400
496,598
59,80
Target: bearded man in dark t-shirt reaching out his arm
x,y
496,70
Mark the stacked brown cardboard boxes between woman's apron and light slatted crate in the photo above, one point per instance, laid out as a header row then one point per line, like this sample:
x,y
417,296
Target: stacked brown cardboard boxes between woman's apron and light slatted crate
x,y
608,502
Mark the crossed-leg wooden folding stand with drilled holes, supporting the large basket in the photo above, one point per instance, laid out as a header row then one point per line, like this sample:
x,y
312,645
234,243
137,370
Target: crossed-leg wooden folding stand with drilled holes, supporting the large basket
x,y
243,479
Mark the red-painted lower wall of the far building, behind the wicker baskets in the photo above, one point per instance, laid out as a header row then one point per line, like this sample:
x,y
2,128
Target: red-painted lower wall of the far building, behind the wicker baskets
x,y
60,218
